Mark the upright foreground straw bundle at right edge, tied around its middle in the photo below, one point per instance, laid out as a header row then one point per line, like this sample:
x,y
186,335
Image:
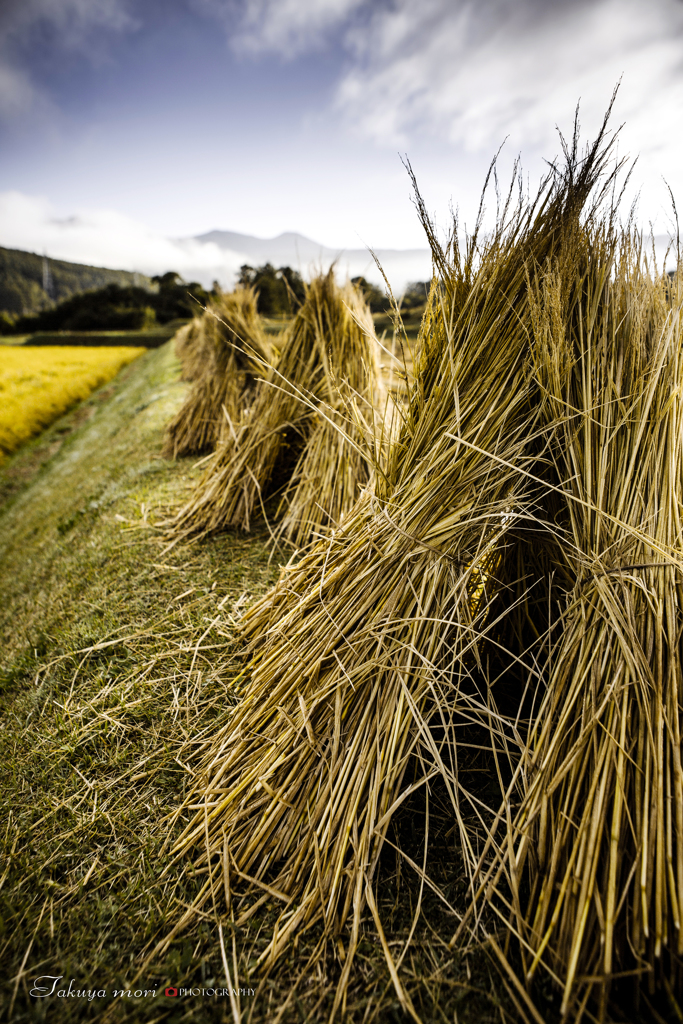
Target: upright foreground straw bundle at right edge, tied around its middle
x,y
594,856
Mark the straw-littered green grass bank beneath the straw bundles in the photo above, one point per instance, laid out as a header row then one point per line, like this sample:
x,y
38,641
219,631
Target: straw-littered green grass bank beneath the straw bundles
x,y
117,660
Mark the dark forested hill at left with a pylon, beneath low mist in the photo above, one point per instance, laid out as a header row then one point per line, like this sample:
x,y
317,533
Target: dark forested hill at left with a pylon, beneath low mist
x,y
23,277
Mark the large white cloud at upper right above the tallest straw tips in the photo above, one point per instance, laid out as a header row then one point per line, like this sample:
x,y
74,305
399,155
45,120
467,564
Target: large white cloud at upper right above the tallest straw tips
x,y
473,73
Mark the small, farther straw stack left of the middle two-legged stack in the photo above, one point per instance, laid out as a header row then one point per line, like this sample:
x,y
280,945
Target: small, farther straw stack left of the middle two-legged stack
x,y
224,353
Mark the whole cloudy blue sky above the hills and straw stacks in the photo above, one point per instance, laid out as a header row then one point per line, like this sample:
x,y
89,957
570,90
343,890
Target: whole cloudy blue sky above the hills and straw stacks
x,y
124,123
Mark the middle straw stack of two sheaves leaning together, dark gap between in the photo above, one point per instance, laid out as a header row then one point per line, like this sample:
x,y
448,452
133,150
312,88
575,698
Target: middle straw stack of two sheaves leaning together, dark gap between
x,y
307,429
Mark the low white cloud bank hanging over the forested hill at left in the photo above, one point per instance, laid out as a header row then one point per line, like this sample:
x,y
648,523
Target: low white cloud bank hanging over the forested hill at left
x,y
105,238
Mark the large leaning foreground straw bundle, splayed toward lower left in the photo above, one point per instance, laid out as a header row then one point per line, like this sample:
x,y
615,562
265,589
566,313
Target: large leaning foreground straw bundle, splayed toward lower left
x,y
375,635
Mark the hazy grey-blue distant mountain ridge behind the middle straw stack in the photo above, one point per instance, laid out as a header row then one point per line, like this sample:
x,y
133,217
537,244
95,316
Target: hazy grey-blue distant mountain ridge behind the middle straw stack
x,y
291,249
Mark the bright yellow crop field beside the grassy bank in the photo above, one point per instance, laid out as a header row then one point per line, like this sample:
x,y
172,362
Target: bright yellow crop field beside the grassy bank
x,y
37,386
